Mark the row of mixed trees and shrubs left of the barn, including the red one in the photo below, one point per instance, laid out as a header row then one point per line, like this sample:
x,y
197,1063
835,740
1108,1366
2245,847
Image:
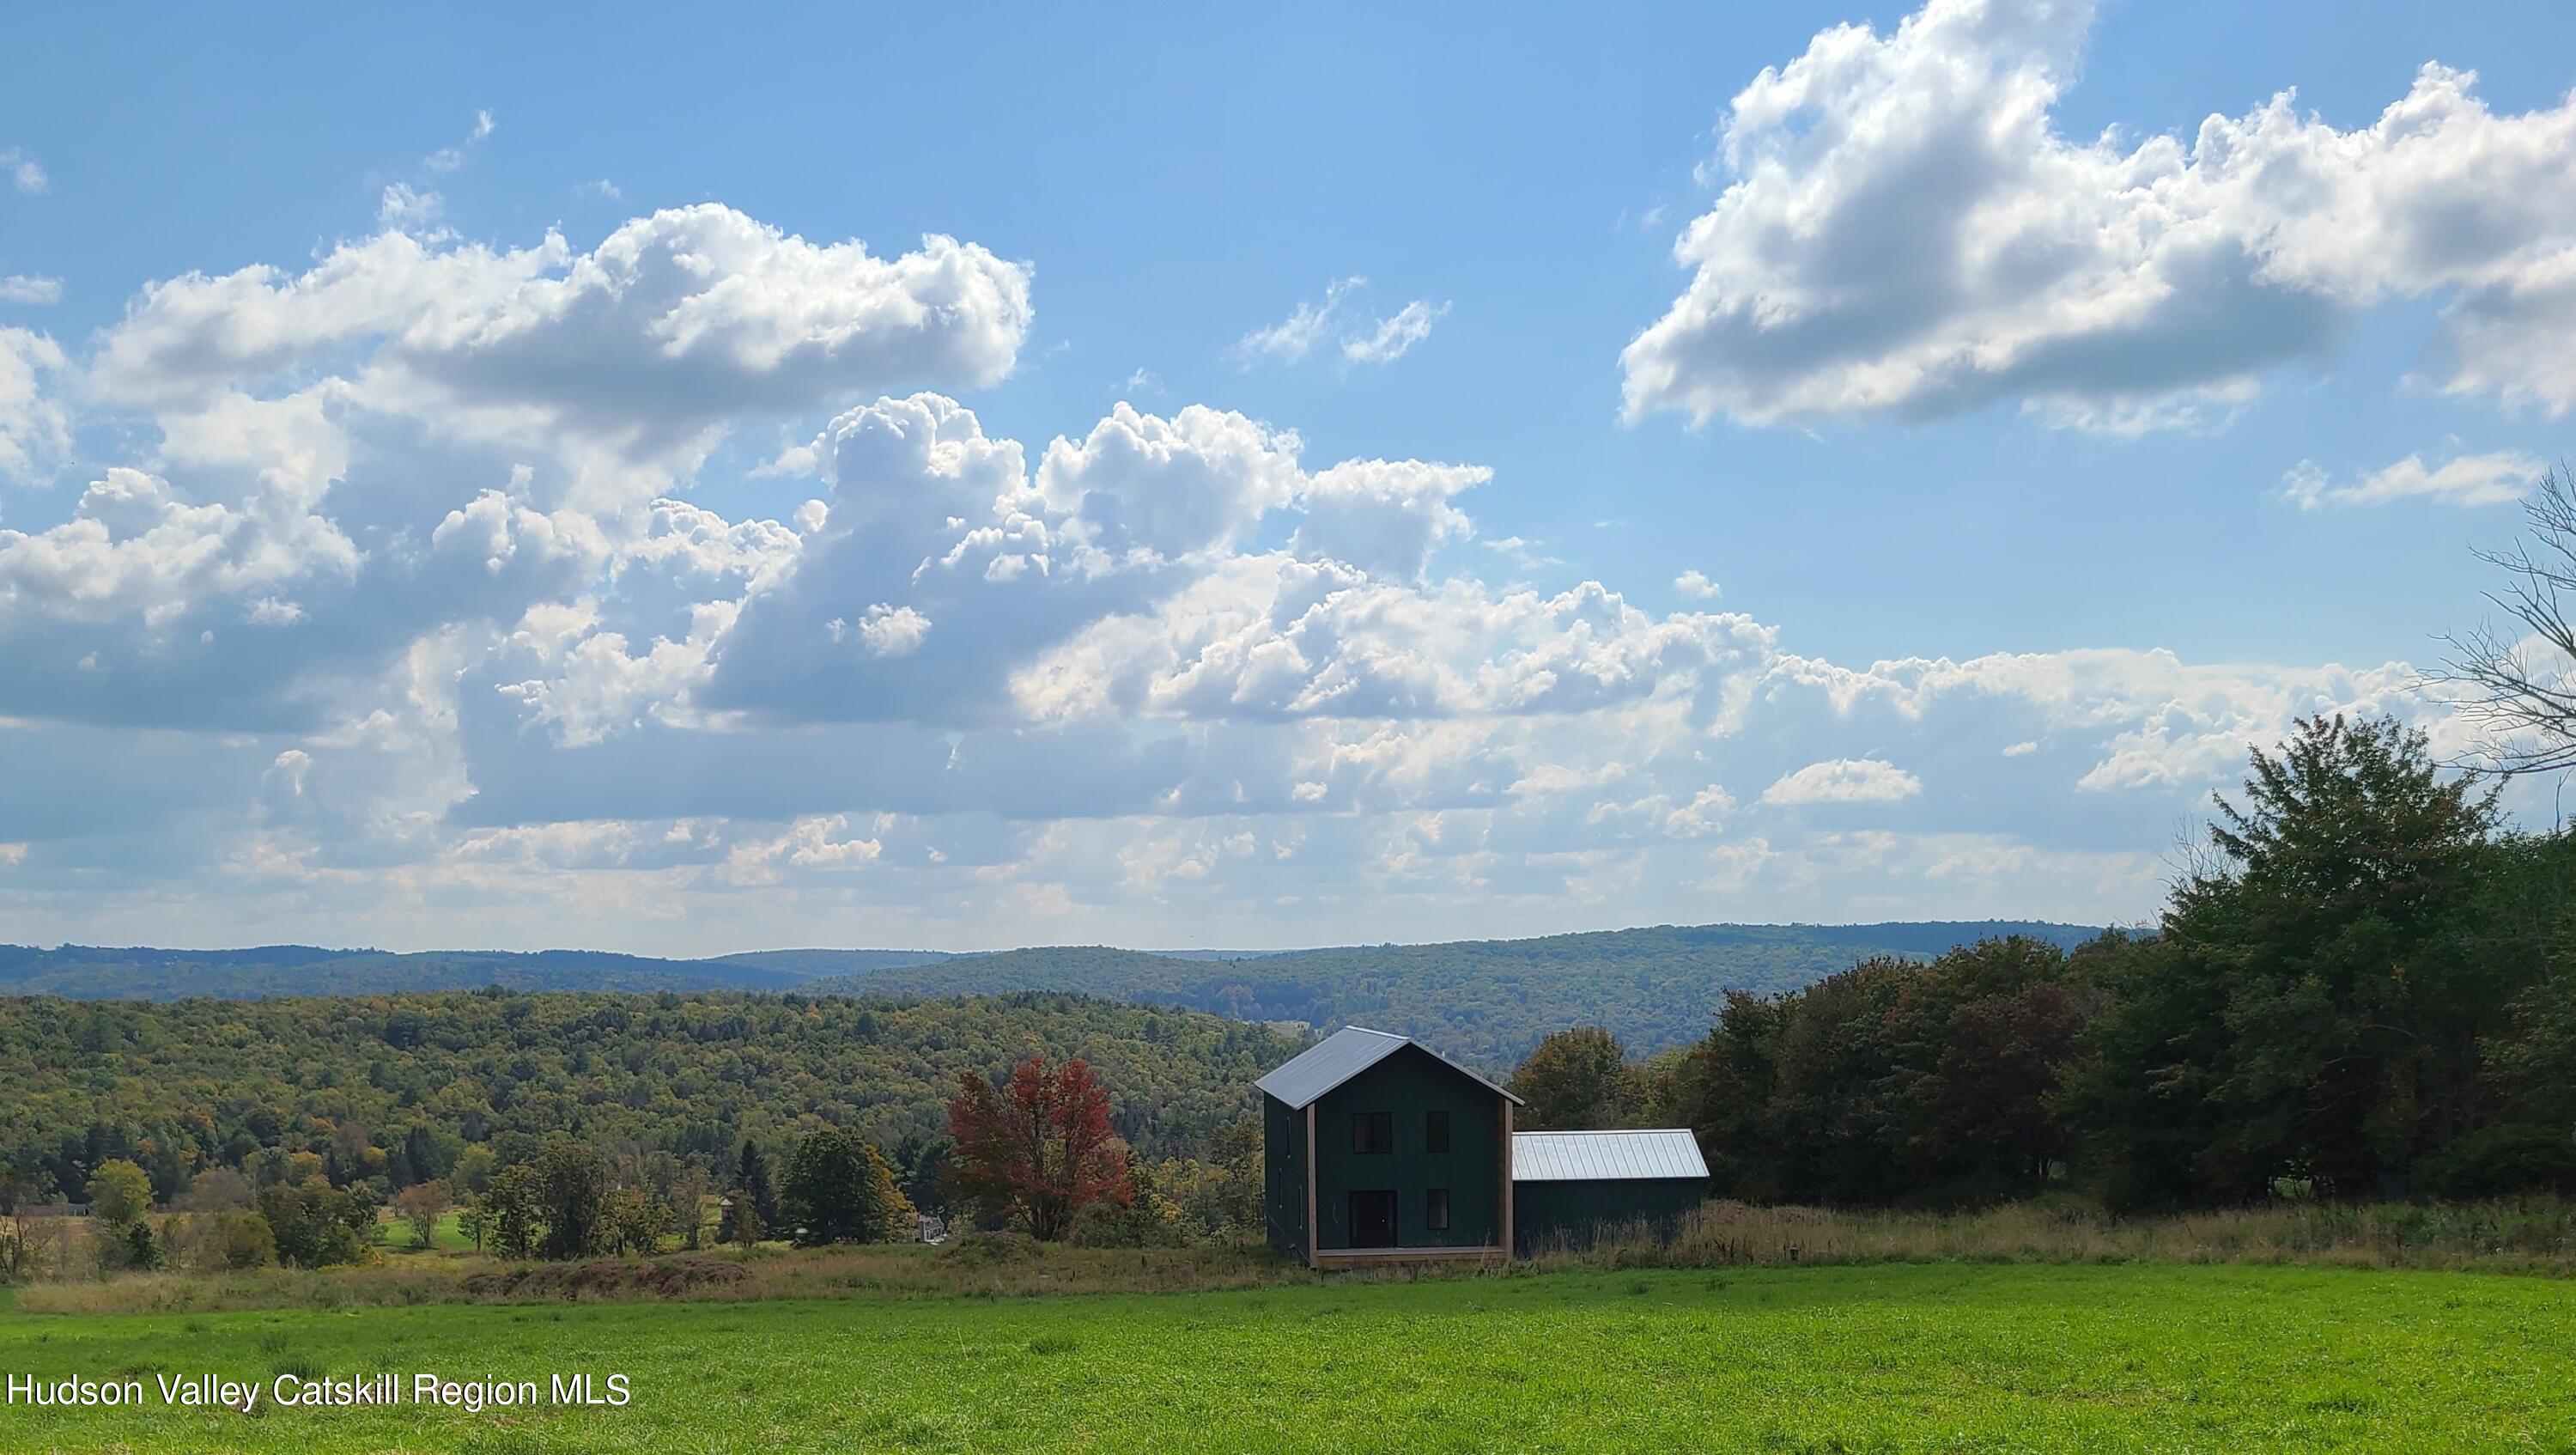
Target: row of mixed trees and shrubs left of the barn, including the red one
x,y
1034,1152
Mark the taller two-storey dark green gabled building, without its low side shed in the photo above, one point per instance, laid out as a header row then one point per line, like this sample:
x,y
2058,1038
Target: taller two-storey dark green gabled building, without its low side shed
x,y
1382,1150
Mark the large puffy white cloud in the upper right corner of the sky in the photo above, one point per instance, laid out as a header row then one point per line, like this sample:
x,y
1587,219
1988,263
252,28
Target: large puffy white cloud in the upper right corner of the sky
x,y
1905,230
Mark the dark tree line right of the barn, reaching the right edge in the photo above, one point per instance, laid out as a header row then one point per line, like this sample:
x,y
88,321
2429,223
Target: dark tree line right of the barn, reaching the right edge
x,y
2358,988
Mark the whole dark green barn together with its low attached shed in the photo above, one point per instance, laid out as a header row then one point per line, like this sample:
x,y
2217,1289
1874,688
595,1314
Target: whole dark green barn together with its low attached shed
x,y
1382,1150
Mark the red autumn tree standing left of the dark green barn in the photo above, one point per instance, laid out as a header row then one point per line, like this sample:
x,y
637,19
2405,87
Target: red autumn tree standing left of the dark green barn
x,y
1039,1147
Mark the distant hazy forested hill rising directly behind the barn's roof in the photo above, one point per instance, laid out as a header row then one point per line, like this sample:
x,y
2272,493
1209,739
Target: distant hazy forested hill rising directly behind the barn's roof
x,y
1480,1000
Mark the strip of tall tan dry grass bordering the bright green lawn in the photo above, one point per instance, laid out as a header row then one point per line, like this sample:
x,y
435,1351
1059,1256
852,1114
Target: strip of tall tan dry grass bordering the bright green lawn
x,y
2531,1237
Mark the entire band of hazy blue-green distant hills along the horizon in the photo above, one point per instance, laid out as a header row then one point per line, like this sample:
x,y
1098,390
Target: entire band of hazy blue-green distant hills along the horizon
x,y
1482,1000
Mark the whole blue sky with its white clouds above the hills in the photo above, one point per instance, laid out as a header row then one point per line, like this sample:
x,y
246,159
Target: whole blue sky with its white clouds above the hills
x,y
2041,444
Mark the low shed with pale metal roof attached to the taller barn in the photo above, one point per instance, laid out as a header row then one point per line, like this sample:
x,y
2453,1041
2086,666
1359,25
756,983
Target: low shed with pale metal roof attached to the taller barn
x,y
1570,1186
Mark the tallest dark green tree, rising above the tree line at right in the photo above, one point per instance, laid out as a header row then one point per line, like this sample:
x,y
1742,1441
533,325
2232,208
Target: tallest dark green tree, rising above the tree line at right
x,y
2320,990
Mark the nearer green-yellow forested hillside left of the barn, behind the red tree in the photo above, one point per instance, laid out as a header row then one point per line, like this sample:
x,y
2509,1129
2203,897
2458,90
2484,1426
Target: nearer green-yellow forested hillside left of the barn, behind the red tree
x,y
398,1085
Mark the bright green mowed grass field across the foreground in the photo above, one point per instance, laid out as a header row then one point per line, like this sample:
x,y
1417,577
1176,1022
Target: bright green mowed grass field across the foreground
x,y
1830,1358
